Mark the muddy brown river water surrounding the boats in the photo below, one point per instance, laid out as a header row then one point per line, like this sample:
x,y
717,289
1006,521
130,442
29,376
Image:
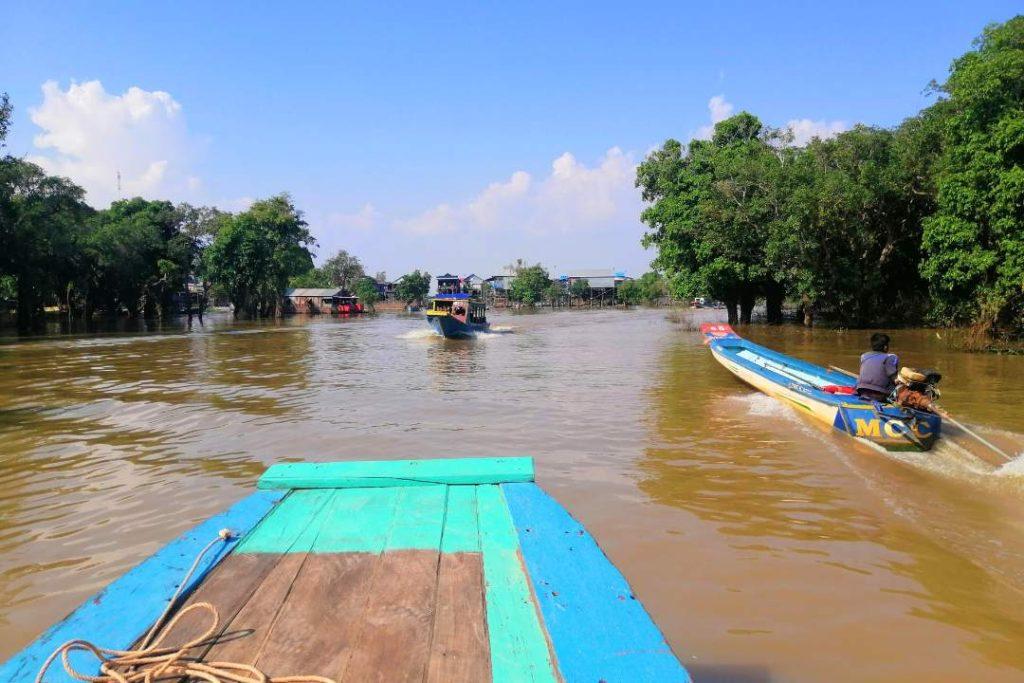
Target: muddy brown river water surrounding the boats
x,y
767,548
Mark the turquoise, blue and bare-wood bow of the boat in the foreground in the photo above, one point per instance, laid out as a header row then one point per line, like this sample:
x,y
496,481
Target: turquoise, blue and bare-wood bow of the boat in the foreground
x,y
390,571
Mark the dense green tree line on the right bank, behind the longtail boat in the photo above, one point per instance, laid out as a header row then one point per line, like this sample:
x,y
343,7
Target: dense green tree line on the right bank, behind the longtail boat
x,y
919,224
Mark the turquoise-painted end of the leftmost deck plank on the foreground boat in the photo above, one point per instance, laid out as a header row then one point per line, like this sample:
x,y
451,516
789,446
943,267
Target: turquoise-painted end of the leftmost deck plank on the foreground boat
x,y
292,528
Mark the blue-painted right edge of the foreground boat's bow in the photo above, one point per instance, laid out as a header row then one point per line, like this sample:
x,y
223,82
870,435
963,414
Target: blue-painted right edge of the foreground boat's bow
x,y
600,630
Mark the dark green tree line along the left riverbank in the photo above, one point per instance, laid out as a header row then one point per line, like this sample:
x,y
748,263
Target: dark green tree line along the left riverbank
x,y
139,258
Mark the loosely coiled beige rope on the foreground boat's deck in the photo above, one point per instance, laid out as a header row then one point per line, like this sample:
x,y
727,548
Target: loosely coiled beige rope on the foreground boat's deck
x,y
151,662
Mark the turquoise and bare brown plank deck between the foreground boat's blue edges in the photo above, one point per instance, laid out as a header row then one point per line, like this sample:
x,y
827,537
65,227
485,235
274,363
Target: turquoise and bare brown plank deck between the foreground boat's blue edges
x,y
378,585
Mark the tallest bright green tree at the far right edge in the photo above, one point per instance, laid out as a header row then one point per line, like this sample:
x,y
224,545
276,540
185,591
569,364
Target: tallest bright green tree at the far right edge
x,y
974,242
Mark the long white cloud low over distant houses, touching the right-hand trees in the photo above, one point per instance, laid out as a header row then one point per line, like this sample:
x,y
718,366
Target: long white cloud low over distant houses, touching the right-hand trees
x,y
575,198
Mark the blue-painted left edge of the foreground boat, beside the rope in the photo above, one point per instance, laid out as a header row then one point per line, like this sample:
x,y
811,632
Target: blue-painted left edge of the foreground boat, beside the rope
x,y
117,616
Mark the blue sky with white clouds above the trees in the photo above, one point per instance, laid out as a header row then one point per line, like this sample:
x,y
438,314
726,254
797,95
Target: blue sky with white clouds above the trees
x,y
449,138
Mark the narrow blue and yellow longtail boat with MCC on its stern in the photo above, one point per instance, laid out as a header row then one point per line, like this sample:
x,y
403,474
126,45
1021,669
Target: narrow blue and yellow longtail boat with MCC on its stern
x,y
825,395
